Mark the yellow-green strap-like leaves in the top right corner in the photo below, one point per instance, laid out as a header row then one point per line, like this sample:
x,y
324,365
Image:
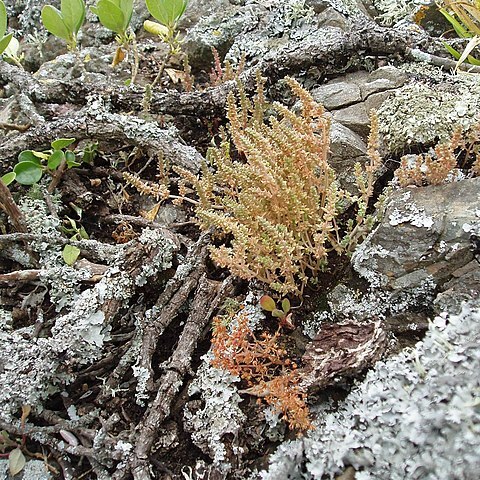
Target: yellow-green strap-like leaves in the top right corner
x,y
464,16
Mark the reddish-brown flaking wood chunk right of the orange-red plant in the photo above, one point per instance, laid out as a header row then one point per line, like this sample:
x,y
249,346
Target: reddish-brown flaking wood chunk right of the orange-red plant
x,y
341,351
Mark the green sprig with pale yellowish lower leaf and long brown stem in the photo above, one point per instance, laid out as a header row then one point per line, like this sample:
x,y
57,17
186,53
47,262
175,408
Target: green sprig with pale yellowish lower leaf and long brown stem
x,y
168,13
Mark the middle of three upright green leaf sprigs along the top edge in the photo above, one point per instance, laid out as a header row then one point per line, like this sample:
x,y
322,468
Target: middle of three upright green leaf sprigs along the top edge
x,y
116,15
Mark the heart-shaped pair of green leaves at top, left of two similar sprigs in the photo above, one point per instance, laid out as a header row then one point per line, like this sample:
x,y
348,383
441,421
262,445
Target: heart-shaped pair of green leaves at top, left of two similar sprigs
x,y
66,22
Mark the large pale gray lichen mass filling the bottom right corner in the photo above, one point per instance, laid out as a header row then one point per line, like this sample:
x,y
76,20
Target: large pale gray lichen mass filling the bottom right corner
x,y
414,416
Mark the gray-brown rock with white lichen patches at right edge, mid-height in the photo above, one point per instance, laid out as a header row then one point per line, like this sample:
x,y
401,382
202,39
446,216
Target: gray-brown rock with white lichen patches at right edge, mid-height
x,y
424,234
